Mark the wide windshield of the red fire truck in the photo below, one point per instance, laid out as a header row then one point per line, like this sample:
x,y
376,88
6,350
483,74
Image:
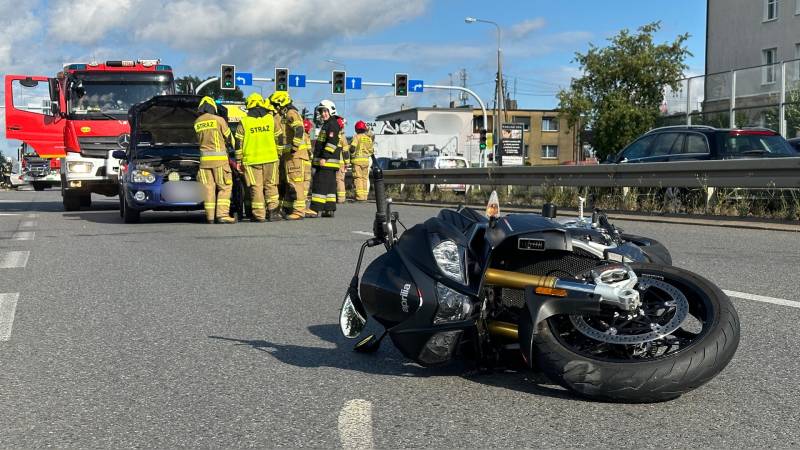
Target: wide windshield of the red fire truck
x,y
110,95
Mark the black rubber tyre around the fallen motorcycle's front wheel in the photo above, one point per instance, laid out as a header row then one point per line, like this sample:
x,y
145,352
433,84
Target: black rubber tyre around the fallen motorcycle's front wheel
x,y
616,372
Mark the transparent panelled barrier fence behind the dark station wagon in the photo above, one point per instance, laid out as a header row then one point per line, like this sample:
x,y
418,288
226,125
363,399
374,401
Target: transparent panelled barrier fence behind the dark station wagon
x,y
763,96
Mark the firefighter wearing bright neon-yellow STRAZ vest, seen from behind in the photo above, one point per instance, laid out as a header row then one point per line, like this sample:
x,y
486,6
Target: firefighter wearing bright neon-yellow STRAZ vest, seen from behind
x,y
257,158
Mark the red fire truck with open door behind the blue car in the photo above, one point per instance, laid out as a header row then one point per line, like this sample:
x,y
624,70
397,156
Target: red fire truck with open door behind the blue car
x,y
81,117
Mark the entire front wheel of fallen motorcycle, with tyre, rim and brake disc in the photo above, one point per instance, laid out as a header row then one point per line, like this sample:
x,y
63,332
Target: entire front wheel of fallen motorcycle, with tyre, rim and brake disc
x,y
685,333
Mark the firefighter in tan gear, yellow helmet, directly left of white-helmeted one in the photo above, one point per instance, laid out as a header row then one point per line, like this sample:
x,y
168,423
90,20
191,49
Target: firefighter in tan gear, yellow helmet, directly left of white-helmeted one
x,y
294,194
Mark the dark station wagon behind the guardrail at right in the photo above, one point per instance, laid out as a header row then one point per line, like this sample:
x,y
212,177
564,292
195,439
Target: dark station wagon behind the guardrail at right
x,y
691,143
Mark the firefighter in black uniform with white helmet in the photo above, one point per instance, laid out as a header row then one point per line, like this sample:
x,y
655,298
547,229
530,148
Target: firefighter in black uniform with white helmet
x,y
327,159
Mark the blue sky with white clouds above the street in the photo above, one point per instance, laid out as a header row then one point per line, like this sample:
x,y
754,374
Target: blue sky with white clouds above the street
x,y
371,39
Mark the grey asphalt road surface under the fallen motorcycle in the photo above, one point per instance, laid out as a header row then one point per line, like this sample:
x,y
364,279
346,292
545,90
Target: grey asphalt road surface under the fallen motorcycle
x,y
173,333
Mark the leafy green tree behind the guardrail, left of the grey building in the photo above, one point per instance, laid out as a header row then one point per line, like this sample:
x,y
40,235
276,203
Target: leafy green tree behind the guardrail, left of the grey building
x,y
622,86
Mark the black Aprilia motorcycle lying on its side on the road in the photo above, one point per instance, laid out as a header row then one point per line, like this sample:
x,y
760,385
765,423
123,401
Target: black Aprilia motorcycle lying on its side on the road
x,y
600,312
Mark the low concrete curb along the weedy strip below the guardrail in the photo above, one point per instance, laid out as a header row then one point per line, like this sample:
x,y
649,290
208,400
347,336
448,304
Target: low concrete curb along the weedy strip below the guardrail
x,y
676,220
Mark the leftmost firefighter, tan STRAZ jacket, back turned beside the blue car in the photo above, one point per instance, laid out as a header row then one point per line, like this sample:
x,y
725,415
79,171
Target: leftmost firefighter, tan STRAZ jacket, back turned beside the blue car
x,y
215,174
